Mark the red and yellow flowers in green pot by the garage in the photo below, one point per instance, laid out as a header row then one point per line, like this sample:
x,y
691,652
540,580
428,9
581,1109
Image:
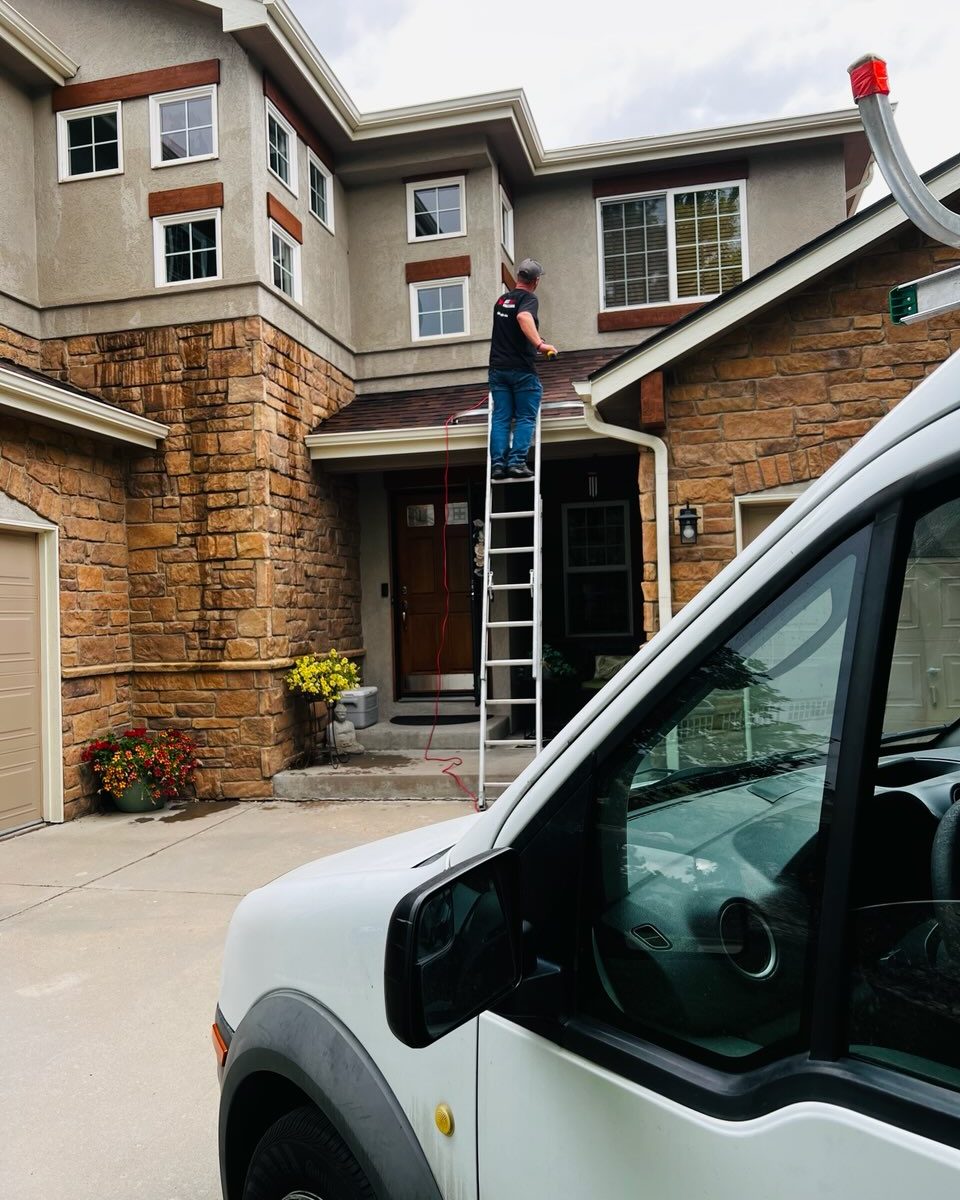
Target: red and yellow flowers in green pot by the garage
x,y
141,771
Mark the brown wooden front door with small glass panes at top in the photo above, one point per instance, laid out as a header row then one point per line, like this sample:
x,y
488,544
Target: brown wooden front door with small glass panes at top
x,y
424,575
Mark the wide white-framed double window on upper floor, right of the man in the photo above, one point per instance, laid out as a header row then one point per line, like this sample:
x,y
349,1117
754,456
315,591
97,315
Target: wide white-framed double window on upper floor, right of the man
x,y
686,244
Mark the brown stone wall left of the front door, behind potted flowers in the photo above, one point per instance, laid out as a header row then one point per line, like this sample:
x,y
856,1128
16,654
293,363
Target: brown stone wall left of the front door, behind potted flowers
x,y
239,554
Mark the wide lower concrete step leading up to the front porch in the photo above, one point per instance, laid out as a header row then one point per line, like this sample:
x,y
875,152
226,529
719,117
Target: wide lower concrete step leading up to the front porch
x,y
397,776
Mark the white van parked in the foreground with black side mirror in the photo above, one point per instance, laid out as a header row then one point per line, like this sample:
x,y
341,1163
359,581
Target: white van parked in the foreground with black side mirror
x,y
709,945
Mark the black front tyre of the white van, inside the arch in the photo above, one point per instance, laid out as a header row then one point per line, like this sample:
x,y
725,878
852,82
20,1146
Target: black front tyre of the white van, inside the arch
x,y
301,1157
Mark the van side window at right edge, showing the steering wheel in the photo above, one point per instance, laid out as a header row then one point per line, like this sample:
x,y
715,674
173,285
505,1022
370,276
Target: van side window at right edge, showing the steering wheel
x,y
905,983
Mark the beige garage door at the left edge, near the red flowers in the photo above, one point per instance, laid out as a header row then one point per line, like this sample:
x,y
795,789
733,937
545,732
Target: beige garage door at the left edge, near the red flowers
x,y
21,771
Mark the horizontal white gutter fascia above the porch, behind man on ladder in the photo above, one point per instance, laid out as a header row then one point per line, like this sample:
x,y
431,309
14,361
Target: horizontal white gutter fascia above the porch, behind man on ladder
x,y
430,440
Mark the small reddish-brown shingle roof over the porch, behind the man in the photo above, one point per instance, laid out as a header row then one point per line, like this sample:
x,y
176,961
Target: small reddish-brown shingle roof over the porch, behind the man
x,y
433,406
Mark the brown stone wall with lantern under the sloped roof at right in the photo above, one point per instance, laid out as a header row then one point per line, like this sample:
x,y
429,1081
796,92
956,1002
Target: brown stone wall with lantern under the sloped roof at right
x,y
782,398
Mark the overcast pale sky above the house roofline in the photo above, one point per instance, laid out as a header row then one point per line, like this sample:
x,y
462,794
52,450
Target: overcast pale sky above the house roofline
x,y
613,69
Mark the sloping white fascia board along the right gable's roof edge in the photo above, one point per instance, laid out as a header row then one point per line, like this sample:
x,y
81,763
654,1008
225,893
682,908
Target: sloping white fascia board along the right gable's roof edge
x,y
724,315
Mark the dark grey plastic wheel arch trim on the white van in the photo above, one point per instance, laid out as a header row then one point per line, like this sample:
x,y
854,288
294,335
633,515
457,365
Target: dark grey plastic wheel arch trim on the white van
x,y
290,1051
